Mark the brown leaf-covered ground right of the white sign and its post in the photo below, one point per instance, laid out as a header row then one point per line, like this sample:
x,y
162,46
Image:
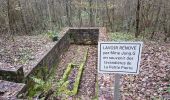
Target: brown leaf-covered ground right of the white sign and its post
x,y
153,79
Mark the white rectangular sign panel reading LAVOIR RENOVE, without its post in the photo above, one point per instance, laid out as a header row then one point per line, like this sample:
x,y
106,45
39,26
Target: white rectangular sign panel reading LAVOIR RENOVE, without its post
x,y
119,57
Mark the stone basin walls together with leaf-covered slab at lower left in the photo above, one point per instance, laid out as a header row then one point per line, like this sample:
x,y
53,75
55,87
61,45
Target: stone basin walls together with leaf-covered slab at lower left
x,y
14,81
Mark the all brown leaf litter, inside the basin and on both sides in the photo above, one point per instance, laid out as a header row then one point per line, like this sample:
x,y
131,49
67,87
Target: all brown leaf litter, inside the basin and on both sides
x,y
152,82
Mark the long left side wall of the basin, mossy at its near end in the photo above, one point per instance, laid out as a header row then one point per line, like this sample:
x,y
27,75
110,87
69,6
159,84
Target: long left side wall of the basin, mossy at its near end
x,y
51,58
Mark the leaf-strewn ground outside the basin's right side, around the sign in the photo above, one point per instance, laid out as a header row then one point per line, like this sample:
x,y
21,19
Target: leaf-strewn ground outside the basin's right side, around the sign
x,y
153,80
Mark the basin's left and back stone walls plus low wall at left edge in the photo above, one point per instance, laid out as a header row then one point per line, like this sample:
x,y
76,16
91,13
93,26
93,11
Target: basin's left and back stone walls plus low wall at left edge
x,y
50,59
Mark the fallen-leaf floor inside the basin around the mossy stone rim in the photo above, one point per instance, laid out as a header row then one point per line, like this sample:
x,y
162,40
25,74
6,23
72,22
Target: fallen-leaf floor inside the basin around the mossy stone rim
x,y
75,54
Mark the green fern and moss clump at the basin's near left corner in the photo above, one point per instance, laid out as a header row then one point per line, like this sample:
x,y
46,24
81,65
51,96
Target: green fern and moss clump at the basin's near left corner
x,y
41,84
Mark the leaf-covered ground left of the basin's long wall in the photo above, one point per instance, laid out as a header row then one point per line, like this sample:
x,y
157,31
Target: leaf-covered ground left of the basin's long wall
x,y
23,51
